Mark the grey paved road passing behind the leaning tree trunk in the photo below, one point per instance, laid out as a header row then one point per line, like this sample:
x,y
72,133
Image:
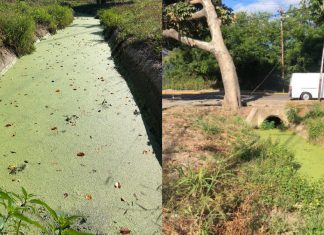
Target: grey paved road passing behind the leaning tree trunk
x,y
215,98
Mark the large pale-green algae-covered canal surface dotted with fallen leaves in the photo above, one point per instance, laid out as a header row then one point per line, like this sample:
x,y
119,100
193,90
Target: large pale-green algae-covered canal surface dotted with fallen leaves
x,y
66,98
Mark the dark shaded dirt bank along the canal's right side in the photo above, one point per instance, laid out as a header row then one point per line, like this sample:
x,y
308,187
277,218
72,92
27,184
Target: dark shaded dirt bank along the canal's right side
x,y
143,71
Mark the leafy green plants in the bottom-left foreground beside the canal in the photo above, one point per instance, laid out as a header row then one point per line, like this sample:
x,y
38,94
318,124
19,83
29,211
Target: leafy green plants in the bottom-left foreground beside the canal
x,y
23,213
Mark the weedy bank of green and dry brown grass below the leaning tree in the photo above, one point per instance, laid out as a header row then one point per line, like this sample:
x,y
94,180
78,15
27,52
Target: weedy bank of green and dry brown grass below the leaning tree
x,y
250,187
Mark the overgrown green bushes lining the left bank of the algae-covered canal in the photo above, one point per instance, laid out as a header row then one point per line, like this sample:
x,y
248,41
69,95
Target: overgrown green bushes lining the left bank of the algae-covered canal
x,y
20,20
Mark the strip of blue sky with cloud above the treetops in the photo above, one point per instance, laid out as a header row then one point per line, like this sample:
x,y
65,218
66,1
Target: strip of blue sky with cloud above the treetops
x,y
270,6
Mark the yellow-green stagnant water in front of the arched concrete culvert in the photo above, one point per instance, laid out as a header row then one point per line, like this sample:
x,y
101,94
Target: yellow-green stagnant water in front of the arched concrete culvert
x,y
309,156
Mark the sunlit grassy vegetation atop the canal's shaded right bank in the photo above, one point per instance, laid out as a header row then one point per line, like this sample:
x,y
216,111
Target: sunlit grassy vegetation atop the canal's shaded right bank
x,y
137,21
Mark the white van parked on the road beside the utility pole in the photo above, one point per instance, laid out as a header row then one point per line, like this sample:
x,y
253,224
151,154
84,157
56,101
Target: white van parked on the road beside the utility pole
x,y
305,86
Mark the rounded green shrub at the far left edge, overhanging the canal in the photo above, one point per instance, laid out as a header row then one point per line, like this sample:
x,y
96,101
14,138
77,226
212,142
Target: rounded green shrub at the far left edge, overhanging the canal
x,y
18,32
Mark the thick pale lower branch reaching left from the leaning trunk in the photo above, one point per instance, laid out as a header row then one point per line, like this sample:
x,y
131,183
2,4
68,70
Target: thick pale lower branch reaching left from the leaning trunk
x,y
172,33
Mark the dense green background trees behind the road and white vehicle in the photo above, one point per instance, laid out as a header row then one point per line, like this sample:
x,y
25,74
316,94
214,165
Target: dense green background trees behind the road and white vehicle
x,y
254,42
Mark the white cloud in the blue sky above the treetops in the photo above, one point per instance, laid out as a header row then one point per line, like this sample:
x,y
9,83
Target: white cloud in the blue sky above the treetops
x,y
270,6
